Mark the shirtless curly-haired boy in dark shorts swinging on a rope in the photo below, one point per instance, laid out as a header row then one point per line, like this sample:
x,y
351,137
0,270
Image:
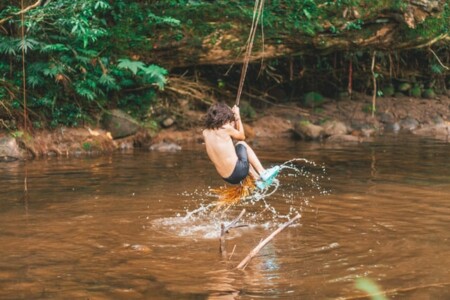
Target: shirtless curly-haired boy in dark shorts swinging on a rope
x,y
232,162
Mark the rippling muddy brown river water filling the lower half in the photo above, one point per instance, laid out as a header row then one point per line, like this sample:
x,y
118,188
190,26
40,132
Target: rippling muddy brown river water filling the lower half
x,y
140,225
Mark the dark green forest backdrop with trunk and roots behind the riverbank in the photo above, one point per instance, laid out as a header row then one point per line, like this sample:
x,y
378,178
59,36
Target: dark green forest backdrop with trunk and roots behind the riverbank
x,y
65,63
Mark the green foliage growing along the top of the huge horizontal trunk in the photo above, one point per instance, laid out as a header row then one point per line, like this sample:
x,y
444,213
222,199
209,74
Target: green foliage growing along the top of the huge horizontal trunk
x,y
282,19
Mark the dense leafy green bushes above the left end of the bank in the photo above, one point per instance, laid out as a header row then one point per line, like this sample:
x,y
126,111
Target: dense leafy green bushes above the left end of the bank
x,y
75,65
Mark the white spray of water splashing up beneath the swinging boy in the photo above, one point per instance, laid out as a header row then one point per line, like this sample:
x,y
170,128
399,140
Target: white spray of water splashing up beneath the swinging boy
x,y
205,220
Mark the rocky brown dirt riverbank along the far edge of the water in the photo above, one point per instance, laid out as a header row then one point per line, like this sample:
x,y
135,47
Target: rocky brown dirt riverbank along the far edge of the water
x,y
344,121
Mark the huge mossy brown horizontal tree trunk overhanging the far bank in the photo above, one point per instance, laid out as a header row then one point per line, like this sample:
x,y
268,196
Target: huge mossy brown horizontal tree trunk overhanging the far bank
x,y
381,30
